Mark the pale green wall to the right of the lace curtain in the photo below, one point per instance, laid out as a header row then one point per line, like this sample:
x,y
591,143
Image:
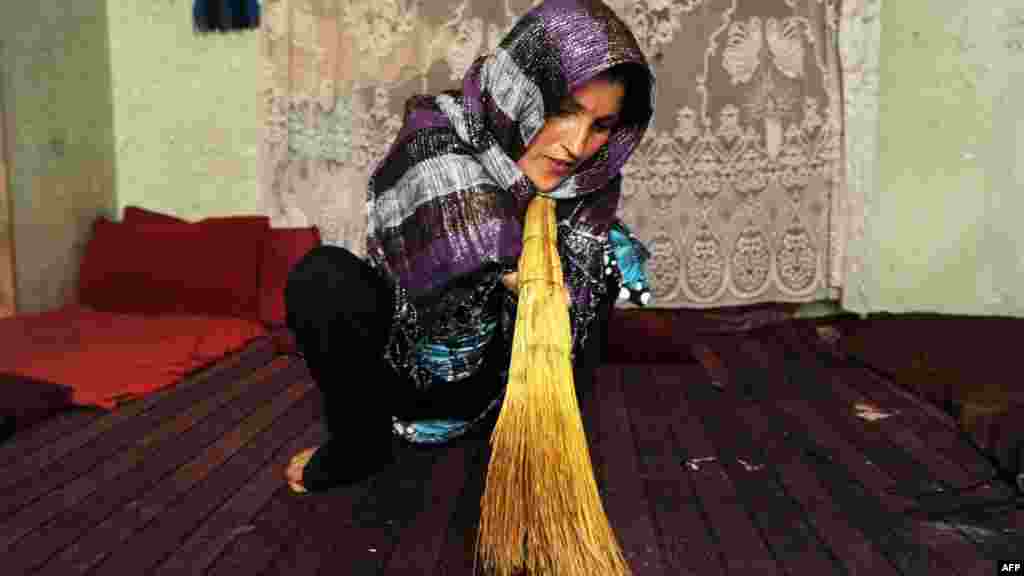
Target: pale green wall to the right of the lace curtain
x,y
945,225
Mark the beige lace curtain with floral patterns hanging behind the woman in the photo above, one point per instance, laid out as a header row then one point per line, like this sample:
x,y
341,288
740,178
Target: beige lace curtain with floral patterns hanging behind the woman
x,y
739,189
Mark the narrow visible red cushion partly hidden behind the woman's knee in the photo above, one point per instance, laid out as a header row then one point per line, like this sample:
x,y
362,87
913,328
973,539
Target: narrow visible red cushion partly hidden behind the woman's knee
x,y
285,250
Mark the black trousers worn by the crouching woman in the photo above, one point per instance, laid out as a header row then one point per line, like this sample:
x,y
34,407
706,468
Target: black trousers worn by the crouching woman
x,y
340,311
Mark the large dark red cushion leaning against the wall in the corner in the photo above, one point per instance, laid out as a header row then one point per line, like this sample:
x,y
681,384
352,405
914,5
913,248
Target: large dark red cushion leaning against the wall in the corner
x,y
212,269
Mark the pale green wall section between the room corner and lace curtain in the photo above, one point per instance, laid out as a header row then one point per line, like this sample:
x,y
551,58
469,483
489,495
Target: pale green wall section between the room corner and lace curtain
x,y
187,112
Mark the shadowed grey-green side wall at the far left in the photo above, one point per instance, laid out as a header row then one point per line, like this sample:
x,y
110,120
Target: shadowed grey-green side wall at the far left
x,y
57,88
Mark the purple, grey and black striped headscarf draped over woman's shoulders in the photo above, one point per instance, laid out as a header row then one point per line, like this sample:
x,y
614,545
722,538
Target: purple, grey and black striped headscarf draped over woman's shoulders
x,y
449,198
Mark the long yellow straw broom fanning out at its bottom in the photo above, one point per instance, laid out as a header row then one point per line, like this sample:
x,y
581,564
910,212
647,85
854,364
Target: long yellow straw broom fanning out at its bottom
x,y
541,512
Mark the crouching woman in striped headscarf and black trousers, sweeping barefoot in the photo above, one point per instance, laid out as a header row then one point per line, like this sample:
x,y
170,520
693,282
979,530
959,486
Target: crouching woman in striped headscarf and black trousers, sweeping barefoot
x,y
416,341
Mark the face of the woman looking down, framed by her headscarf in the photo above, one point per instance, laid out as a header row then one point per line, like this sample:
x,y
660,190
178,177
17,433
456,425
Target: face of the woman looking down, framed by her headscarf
x,y
568,140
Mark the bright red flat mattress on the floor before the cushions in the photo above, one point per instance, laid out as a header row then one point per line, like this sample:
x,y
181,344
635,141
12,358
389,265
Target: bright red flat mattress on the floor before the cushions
x,y
106,358
